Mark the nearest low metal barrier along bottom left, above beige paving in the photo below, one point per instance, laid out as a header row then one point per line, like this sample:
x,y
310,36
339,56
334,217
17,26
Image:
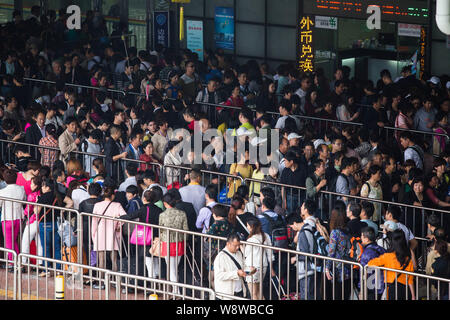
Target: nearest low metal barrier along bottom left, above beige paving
x,y
31,287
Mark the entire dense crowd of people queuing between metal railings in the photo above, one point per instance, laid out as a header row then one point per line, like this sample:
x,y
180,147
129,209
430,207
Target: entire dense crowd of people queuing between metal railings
x,y
117,156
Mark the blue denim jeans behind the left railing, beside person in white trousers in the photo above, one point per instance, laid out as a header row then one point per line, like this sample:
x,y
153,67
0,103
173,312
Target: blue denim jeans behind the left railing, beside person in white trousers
x,y
51,241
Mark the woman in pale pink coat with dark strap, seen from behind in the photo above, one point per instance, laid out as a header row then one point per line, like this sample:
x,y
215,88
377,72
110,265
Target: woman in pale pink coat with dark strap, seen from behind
x,y
106,234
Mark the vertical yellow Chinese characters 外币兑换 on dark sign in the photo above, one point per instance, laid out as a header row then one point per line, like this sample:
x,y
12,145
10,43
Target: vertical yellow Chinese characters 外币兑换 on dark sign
x,y
306,54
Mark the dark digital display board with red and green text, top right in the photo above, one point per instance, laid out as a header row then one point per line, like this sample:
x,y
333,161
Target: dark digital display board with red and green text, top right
x,y
406,11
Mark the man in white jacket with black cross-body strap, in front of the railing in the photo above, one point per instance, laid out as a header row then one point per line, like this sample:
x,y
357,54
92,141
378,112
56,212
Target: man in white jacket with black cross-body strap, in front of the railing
x,y
228,270
